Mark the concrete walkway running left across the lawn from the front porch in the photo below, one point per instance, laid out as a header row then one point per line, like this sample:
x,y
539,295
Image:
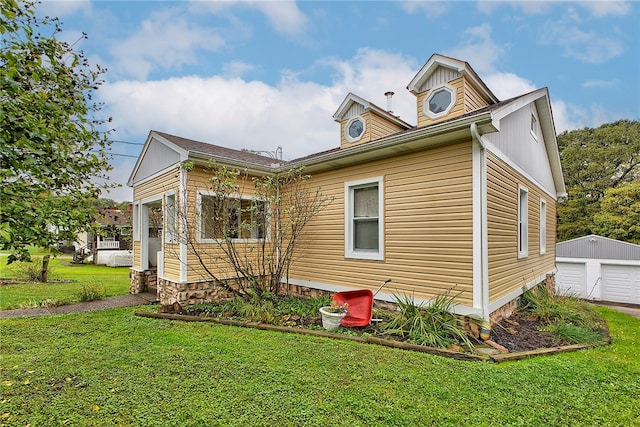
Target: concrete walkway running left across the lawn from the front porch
x,y
103,304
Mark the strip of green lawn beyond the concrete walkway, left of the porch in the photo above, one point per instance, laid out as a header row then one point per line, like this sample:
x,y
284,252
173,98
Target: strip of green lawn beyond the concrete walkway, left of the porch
x,y
114,281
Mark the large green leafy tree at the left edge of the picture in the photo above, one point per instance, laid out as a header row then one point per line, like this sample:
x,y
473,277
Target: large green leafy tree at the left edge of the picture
x,y
51,145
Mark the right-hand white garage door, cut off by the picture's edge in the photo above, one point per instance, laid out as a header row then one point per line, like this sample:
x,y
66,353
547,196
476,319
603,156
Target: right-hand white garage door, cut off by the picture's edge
x,y
621,283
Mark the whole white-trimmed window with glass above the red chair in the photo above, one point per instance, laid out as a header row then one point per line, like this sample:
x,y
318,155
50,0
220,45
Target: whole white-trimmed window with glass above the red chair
x,y
364,219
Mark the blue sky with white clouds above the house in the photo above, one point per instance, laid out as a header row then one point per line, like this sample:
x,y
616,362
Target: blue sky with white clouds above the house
x,y
264,74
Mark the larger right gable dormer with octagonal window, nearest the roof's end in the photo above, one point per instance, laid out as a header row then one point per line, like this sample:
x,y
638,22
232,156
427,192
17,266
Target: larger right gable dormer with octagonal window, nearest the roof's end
x,y
446,88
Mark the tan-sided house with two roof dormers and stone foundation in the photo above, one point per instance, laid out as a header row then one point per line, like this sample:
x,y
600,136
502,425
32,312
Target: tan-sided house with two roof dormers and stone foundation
x,y
462,202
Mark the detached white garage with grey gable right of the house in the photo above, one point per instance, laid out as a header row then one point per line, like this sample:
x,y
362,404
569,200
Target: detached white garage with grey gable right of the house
x,y
598,268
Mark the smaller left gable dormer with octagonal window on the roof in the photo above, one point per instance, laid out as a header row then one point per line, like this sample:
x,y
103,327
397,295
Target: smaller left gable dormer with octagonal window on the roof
x,y
361,121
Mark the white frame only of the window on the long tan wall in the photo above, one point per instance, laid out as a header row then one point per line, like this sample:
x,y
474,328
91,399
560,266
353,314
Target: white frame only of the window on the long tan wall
x,y
349,229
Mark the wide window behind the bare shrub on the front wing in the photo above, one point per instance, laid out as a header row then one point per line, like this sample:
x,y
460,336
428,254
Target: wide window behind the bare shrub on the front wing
x,y
231,218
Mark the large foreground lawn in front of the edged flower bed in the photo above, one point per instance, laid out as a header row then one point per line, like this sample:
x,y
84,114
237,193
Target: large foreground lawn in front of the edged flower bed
x,y
113,368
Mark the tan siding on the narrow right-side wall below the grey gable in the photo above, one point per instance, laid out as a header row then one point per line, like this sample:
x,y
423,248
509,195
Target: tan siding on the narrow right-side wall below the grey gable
x,y
507,272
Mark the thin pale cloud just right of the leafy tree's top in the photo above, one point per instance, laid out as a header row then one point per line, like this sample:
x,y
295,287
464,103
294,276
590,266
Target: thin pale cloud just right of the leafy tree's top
x,y
164,41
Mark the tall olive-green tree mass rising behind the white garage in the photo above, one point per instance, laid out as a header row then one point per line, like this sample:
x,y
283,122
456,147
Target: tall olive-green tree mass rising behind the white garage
x,y
594,161
